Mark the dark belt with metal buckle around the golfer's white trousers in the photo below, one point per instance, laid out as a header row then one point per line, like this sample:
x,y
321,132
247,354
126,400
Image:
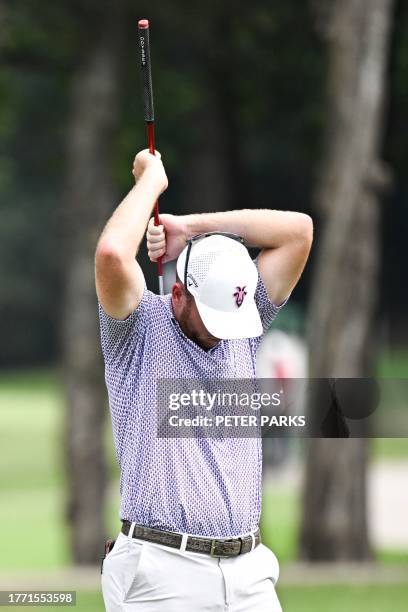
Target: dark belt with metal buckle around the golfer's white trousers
x,y
231,547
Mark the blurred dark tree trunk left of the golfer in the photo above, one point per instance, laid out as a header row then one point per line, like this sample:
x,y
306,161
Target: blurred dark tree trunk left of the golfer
x,y
89,200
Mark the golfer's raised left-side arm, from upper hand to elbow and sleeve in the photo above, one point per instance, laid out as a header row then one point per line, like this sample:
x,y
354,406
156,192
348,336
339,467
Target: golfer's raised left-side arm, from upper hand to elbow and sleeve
x,y
119,278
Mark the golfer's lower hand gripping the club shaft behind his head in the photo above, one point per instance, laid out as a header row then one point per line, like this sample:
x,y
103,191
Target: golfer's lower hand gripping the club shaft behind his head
x,y
167,239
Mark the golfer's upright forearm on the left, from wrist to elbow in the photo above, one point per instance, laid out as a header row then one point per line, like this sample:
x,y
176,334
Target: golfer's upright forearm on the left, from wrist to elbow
x,y
125,229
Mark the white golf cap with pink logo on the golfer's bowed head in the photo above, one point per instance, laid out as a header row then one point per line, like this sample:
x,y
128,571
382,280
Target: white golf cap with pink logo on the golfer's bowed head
x,y
222,278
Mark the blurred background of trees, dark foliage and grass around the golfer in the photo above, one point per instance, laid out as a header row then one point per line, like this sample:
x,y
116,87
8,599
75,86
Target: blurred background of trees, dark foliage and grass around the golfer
x,y
295,105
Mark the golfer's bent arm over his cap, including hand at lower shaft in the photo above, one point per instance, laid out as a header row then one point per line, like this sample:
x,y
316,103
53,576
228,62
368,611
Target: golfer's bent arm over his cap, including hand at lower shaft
x,y
284,237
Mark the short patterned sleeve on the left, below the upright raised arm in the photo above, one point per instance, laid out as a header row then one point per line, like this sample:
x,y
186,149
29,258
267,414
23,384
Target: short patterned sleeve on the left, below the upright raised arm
x,y
121,338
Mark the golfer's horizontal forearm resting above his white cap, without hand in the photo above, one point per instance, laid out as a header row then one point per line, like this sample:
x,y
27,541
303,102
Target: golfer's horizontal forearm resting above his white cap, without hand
x,y
259,228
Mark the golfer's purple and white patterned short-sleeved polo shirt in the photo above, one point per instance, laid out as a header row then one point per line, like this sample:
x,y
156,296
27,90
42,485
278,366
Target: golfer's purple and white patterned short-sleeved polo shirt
x,y
202,486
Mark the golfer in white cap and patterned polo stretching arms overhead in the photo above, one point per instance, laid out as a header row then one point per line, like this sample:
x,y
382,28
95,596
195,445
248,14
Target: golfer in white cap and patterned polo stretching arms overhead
x,y
190,507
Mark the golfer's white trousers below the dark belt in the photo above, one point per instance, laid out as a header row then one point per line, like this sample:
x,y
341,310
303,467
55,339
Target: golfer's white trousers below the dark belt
x,y
140,576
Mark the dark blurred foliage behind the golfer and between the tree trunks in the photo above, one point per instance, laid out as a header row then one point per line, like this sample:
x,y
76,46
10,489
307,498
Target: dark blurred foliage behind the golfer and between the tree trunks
x,y
260,69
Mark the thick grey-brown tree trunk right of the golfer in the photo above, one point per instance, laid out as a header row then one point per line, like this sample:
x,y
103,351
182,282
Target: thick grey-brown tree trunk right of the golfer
x,y
344,291
